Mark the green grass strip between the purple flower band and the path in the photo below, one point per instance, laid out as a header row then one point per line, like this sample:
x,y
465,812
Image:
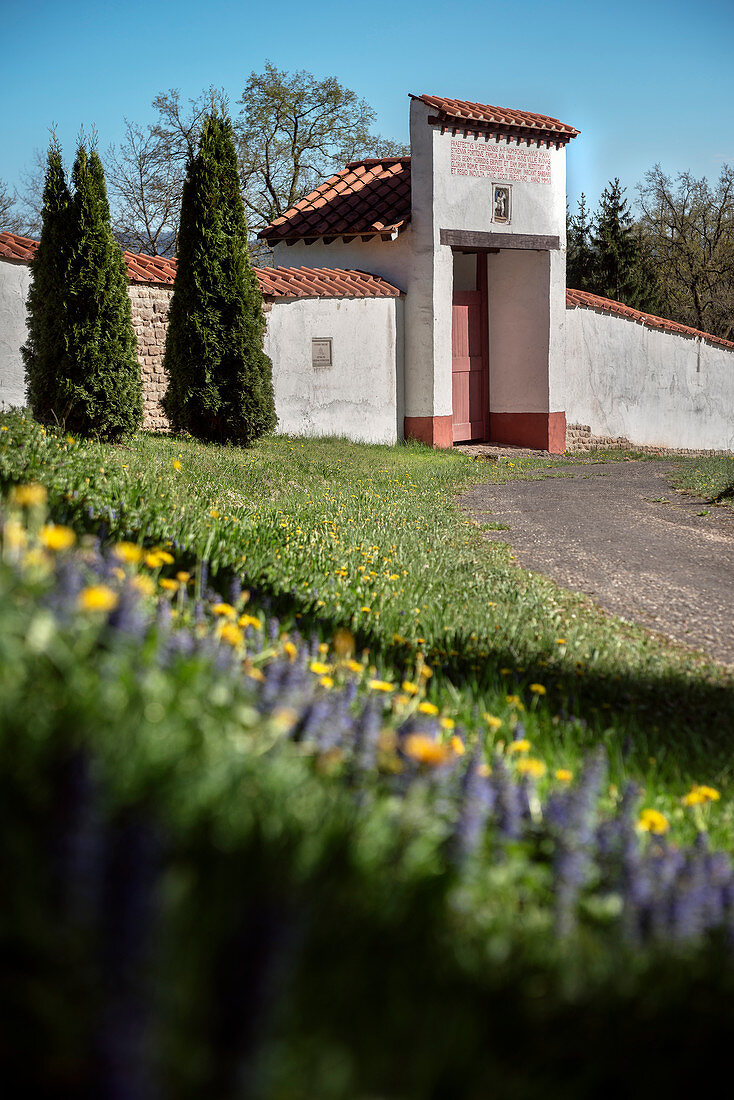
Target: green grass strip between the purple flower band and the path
x,y
336,534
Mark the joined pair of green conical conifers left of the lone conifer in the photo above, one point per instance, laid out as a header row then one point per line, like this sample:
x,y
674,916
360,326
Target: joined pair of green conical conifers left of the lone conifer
x,y
81,359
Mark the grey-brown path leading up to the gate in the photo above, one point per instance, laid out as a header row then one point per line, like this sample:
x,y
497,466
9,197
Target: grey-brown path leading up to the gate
x,y
622,535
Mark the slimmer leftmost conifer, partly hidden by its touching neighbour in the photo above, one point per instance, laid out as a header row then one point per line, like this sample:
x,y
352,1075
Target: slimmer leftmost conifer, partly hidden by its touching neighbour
x,y
46,347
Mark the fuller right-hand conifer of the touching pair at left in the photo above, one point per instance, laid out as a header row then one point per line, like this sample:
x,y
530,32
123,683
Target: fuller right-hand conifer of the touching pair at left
x,y
100,389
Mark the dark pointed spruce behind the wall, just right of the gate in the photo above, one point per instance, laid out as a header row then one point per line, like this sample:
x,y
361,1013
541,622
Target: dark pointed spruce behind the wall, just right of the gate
x,y
621,270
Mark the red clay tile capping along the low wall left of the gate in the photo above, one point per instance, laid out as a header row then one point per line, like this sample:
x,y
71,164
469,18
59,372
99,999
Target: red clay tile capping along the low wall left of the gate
x,y
275,282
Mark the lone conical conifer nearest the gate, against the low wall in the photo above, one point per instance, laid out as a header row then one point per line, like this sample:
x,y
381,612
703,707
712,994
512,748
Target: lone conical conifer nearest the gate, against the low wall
x,y
220,378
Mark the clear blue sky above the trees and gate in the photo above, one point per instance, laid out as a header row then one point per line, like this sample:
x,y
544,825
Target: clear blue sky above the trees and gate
x,y
645,82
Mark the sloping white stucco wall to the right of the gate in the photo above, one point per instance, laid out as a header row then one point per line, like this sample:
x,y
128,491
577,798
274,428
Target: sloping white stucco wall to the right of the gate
x,y
656,389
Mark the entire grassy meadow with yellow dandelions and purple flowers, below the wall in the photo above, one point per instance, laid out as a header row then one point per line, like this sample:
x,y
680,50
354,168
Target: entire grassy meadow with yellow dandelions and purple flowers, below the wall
x,y
311,790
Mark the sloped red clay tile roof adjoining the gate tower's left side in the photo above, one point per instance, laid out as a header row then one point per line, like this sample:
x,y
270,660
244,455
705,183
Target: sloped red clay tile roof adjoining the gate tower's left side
x,y
367,199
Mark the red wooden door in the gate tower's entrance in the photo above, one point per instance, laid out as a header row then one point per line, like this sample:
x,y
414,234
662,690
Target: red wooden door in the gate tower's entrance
x,y
469,375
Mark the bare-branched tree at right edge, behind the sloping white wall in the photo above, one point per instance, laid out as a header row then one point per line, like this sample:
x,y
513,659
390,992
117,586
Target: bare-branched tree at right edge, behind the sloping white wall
x,y
689,227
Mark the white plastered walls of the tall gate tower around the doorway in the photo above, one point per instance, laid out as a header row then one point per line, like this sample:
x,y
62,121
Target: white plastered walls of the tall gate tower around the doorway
x,y
527,289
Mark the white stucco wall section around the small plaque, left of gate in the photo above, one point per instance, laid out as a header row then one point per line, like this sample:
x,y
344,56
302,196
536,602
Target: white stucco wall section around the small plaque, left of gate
x,y
359,395
